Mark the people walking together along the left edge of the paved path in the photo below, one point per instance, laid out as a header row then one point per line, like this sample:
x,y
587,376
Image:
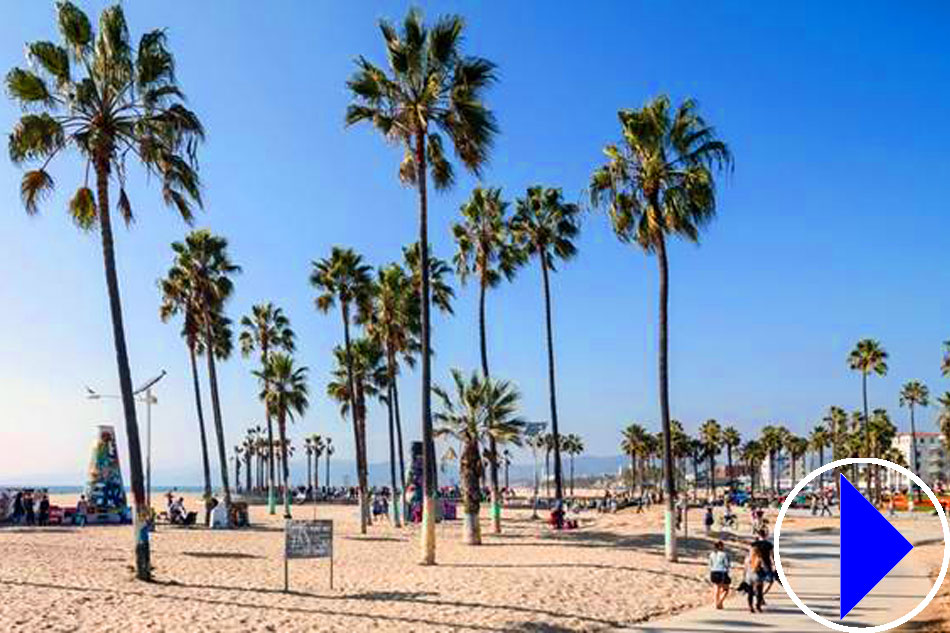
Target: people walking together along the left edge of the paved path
x,y
758,570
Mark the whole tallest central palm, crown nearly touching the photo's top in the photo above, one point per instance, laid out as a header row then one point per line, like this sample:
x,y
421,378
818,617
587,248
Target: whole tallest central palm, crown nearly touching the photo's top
x,y
432,88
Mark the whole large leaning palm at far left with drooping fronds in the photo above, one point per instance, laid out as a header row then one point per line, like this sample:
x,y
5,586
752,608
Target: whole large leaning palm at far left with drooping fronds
x,y
99,95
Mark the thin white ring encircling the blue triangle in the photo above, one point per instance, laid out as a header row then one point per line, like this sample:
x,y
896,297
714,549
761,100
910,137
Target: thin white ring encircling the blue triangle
x,y
880,628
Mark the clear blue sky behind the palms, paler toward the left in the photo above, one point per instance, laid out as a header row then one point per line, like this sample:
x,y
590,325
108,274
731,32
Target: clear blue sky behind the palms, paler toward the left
x,y
832,228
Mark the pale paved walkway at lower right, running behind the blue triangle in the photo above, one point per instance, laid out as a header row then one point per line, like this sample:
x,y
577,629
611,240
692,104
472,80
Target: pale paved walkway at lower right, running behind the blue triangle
x,y
810,560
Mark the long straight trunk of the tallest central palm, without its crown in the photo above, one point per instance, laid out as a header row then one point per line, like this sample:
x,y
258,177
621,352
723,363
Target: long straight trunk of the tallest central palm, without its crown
x,y
429,481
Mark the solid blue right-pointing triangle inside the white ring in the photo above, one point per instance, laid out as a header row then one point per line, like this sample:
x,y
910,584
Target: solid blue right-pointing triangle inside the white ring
x,y
870,547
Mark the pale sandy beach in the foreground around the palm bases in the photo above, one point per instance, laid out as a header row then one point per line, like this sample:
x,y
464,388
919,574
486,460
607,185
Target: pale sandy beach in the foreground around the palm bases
x,y
609,573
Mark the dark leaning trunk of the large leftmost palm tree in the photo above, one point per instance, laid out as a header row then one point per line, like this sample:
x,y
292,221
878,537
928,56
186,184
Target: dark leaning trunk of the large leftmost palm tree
x,y
143,568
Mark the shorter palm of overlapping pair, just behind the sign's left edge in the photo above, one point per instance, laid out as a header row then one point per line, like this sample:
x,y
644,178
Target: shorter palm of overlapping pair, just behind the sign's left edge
x,y
285,396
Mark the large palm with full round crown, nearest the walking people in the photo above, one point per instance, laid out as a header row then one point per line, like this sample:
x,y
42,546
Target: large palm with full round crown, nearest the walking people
x,y
658,182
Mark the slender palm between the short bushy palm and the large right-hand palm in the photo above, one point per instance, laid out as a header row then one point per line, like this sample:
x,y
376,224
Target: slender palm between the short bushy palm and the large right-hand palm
x,y
545,226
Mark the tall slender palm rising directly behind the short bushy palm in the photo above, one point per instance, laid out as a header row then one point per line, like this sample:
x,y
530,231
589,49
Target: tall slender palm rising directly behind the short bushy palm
x,y
485,250
